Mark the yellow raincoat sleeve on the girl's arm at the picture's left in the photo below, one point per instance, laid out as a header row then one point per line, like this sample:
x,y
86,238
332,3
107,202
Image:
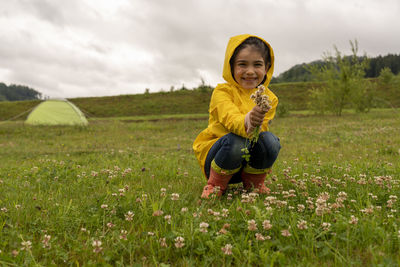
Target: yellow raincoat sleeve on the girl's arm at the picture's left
x,y
226,113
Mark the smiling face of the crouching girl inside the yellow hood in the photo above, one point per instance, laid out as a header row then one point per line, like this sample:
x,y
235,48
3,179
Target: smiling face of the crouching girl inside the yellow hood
x,y
249,68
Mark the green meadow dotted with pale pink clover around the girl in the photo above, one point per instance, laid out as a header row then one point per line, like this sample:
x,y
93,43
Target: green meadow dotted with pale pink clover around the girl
x,y
127,192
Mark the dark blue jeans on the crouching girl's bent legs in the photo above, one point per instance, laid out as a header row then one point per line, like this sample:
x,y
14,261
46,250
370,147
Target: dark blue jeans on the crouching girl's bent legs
x,y
228,155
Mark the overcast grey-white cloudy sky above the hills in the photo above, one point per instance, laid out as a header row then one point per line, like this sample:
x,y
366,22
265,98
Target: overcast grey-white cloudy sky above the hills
x,y
79,48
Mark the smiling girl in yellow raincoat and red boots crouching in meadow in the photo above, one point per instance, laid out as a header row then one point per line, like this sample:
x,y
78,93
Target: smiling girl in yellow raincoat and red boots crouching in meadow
x,y
233,116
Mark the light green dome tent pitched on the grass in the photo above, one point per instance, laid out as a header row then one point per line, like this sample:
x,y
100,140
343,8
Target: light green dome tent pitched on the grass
x,y
56,112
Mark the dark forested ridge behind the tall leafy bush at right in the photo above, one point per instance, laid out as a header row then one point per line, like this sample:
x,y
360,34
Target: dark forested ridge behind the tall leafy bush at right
x,y
302,73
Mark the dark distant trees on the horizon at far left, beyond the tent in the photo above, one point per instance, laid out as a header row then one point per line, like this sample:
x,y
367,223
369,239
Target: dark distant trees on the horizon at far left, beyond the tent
x,y
15,92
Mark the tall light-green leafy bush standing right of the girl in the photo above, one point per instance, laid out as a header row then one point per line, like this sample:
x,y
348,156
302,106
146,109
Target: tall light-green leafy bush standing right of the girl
x,y
344,81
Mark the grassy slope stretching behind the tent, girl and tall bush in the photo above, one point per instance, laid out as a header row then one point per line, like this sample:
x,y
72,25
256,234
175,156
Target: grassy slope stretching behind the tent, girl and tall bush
x,y
293,96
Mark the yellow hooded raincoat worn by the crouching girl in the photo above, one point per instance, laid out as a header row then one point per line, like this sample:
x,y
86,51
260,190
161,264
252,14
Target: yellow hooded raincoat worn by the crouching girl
x,y
229,105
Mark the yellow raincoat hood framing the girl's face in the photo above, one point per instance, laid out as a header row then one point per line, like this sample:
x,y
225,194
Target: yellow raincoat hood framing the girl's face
x,y
233,43
